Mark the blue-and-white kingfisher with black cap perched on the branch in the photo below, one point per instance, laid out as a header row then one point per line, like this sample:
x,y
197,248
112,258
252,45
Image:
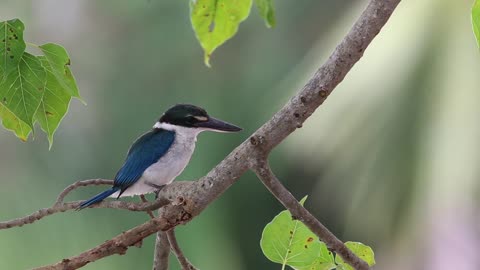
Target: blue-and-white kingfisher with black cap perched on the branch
x,y
157,157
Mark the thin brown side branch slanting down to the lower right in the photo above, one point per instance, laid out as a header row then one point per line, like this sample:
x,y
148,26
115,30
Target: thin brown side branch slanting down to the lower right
x,y
264,172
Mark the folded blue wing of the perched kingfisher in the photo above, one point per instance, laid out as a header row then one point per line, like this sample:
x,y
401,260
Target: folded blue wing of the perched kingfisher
x,y
145,151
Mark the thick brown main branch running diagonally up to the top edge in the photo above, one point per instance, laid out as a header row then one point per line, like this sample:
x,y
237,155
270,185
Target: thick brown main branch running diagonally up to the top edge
x,y
193,198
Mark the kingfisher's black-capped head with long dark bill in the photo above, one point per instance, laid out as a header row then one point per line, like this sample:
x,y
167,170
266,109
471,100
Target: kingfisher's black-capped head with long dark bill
x,y
191,116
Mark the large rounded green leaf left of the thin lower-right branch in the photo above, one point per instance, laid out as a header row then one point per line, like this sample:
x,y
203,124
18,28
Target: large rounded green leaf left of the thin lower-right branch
x,y
290,242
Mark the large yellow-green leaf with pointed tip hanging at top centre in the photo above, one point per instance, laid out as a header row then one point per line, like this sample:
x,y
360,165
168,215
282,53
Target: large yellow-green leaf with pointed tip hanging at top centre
x,y
216,21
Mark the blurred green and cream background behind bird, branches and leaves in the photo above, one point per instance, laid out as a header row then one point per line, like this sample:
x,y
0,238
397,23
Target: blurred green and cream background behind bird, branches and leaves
x,y
391,159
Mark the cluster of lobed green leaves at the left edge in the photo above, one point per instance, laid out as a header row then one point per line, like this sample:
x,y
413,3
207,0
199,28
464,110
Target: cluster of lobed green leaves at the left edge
x,y
33,88
